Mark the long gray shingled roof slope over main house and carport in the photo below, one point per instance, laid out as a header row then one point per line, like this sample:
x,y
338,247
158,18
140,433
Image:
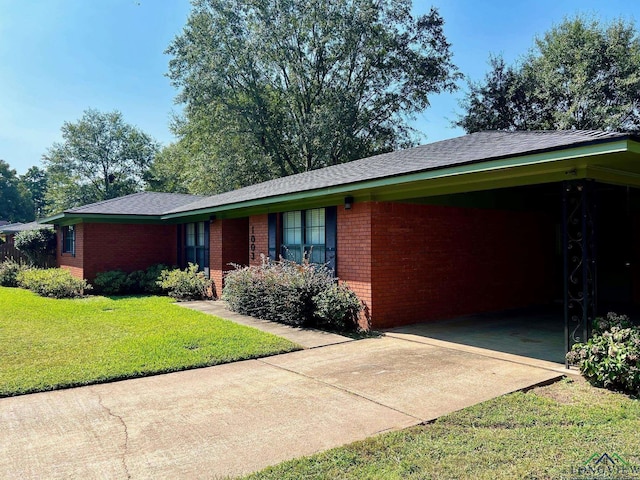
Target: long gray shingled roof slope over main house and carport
x,y
473,148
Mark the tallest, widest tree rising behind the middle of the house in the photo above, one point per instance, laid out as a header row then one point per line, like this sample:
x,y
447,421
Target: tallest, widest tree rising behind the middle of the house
x,y
280,87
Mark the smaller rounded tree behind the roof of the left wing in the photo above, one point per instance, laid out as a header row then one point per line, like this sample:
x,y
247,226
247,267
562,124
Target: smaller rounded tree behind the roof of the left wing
x,y
100,157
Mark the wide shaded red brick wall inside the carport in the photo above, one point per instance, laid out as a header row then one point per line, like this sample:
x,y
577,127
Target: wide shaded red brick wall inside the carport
x,y
435,262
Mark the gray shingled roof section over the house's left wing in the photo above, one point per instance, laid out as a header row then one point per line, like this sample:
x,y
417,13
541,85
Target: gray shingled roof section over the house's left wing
x,y
143,203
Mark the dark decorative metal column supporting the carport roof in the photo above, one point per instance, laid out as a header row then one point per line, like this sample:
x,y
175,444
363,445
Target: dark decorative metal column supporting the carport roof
x,y
579,239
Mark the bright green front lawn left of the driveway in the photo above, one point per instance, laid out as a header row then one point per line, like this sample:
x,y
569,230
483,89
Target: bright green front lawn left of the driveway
x,y
47,344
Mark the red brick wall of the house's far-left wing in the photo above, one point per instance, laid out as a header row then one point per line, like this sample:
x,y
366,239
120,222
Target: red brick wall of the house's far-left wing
x,y
101,247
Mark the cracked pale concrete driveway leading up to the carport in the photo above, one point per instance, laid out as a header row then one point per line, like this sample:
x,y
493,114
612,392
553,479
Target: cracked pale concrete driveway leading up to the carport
x,y
241,417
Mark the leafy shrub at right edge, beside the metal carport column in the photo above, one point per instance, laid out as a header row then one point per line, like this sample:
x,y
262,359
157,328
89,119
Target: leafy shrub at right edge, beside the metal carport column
x,y
611,358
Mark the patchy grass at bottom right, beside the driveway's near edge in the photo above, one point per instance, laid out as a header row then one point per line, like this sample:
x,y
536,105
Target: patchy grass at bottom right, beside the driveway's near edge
x,y
548,432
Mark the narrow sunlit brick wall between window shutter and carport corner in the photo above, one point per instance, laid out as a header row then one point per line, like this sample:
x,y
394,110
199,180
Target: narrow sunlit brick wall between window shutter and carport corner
x,y
354,252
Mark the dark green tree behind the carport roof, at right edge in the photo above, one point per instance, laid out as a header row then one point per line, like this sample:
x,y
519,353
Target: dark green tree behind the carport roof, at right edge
x,y
581,74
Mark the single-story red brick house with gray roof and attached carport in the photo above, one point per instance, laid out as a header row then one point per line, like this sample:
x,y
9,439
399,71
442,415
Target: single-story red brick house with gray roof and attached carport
x,y
484,222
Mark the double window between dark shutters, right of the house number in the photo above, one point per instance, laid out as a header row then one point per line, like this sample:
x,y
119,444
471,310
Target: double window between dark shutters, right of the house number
x,y
303,235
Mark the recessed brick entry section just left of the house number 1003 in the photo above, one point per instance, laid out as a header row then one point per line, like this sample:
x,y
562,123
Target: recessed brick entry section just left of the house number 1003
x,y
228,243
